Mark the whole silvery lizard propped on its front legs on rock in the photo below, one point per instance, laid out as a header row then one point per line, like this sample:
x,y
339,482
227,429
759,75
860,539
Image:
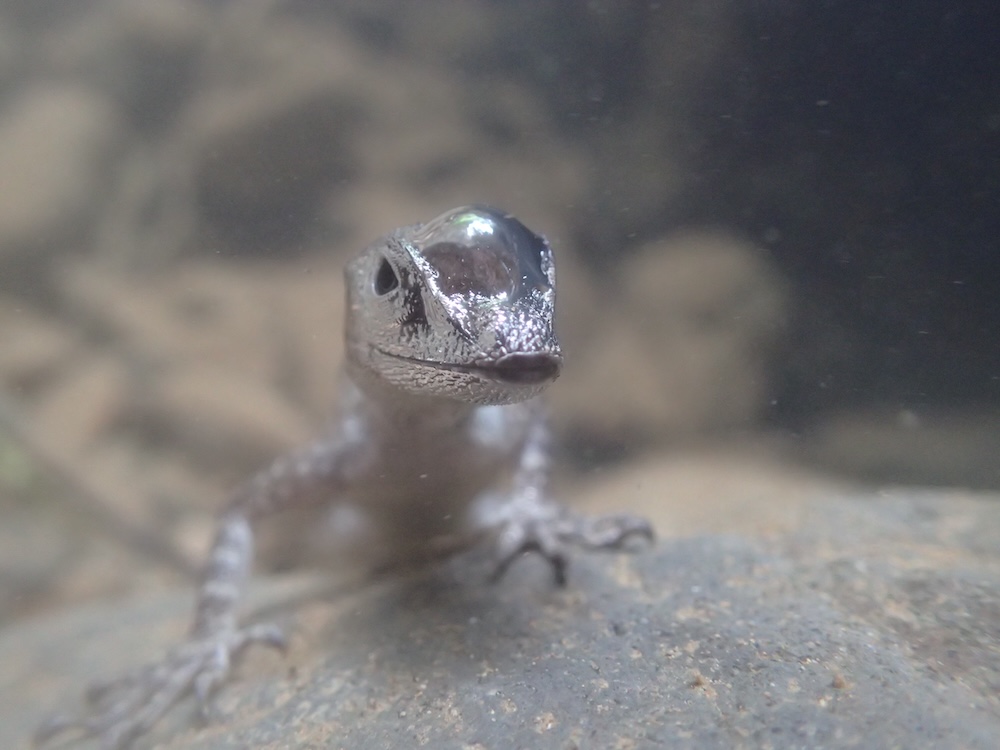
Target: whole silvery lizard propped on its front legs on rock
x,y
450,341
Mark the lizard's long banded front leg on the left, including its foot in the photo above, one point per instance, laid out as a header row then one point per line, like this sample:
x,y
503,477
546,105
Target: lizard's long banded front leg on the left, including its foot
x,y
125,708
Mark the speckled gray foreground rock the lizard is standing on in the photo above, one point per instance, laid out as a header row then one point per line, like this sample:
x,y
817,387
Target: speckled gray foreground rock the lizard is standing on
x,y
875,622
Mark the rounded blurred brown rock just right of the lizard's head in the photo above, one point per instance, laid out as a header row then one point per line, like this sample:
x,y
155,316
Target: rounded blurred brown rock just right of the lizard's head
x,y
678,343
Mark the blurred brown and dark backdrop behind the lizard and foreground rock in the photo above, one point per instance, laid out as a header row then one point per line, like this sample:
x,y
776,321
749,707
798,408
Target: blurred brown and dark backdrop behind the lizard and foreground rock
x,y
776,227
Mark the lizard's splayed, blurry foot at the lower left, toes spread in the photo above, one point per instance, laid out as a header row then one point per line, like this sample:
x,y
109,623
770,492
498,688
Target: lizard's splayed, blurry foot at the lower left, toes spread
x,y
123,709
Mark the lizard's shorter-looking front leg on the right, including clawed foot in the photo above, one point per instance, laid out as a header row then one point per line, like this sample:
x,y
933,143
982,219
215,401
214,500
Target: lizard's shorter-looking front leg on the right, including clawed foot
x,y
532,522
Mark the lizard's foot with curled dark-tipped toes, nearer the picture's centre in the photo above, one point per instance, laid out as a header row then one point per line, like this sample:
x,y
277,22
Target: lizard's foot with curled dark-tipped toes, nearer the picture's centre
x,y
552,536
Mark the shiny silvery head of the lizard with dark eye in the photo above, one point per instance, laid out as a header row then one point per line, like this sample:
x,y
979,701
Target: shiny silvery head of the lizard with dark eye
x,y
460,307
